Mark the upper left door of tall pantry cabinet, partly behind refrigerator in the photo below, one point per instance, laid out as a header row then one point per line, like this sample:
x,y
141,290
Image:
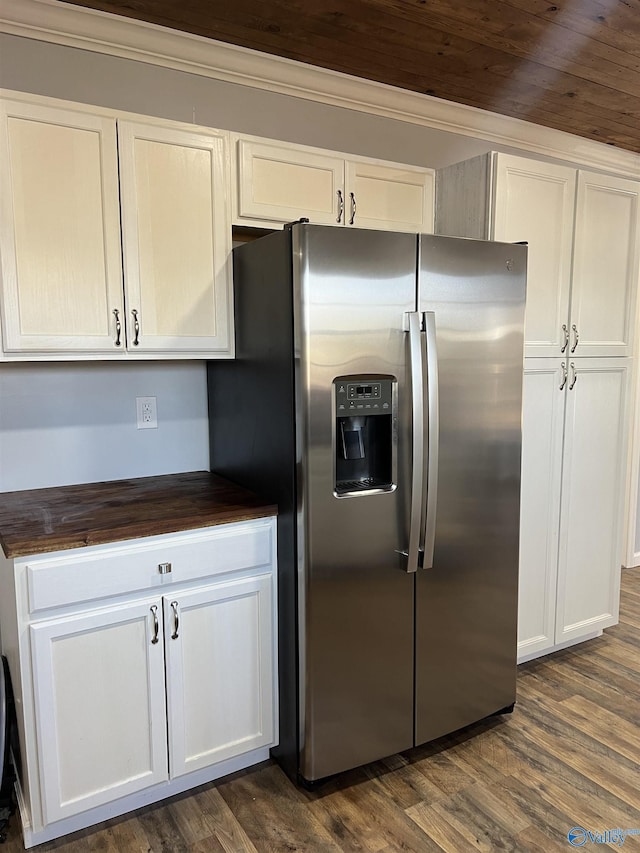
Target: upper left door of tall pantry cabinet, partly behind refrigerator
x,y
534,203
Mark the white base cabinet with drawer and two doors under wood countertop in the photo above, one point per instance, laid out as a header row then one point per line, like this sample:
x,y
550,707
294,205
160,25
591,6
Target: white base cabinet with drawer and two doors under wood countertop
x,y
128,697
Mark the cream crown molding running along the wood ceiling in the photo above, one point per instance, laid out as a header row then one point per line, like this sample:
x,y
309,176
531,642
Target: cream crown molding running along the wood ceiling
x,y
87,29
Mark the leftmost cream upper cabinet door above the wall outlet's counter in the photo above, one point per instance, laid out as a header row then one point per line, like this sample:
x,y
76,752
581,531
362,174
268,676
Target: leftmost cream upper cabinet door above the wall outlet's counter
x,y
59,230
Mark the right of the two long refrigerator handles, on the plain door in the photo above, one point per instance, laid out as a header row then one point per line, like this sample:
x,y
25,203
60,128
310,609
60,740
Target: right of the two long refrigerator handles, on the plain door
x,y
433,438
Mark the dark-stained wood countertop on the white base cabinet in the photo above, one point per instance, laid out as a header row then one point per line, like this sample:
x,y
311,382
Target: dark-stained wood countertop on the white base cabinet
x,y
42,520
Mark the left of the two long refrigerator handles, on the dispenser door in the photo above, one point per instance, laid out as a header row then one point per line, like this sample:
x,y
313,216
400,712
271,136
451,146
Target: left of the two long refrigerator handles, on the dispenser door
x,y
417,463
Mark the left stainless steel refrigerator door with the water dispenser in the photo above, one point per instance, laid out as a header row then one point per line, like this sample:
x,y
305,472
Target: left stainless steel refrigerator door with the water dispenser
x,y
352,289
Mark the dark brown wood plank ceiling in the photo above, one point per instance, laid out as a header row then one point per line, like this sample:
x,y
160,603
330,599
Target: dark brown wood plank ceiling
x,y
573,65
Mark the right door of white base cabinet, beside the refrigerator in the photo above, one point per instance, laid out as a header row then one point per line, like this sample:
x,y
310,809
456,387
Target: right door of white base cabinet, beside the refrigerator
x,y
220,672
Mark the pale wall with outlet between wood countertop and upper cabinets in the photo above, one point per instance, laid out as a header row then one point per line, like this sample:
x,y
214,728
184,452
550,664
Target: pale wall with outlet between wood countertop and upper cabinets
x,y
68,423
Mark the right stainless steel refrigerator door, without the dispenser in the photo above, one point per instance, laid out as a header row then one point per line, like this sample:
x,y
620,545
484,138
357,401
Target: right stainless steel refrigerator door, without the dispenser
x,y
473,296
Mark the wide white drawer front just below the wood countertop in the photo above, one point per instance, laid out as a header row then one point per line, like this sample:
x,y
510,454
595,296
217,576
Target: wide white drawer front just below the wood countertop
x,y
71,577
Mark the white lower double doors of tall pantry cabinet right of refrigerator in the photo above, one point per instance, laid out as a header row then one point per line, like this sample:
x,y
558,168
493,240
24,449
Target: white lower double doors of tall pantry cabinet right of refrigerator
x,y
575,438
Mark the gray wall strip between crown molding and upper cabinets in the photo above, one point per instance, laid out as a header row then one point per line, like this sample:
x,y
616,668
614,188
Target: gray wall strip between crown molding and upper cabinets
x,y
92,78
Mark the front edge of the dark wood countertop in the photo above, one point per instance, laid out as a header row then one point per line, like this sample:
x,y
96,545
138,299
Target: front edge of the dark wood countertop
x,y
50,543
